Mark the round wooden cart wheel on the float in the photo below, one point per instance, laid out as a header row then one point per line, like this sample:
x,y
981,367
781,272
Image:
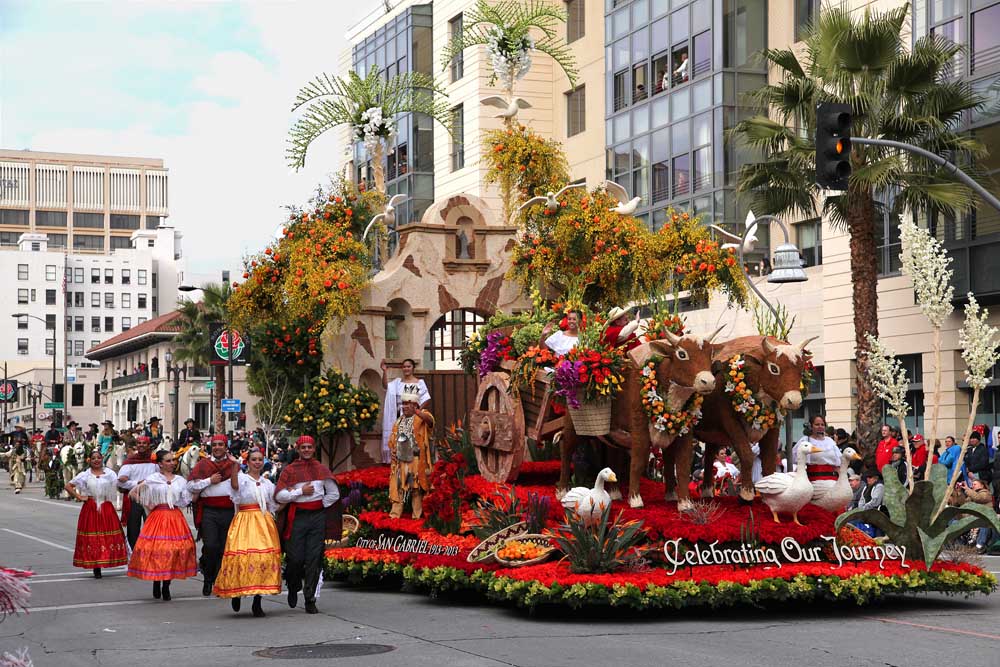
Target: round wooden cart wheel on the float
x,y
496,425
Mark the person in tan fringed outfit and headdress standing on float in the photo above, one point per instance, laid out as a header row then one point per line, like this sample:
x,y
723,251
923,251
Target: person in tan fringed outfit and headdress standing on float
x,y
410,457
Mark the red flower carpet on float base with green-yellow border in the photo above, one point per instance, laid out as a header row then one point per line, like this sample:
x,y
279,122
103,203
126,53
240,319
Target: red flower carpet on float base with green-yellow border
x,y
406,551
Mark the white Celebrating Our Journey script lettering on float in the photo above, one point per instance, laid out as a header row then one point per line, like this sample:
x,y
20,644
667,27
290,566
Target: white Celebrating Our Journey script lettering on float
x,y
788,551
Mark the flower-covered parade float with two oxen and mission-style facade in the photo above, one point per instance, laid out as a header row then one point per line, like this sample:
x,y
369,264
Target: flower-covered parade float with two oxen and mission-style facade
x,y
567,483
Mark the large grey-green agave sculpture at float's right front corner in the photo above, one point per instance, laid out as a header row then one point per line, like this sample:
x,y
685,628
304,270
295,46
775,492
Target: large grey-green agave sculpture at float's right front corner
x,y
911,521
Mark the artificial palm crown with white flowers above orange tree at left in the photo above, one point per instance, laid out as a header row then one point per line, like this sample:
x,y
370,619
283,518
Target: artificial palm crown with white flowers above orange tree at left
x,y
369,105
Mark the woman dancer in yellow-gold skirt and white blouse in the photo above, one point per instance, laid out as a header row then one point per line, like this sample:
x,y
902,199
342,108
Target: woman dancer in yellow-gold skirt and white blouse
x,y
251,562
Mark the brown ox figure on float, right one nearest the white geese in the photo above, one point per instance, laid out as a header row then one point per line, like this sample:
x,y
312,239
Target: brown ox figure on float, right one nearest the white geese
x,y
773,373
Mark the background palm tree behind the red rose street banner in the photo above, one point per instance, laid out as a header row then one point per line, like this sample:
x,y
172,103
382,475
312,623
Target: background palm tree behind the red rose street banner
x,y
192,342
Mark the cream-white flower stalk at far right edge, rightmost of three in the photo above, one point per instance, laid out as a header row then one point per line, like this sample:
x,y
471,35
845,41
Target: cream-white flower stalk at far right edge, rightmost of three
x,y
979,351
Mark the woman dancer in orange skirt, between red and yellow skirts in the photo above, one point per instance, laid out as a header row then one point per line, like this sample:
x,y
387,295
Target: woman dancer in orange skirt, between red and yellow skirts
x,y
165,549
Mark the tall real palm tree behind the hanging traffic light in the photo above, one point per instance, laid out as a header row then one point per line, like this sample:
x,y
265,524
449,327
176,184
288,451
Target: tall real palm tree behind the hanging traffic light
x,y
895,93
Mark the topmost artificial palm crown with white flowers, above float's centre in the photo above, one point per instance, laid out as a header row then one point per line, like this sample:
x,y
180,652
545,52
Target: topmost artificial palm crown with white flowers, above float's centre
x,y
505,29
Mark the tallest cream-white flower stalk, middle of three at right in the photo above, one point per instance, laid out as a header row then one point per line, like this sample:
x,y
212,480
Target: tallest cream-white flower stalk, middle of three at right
x,y
927,263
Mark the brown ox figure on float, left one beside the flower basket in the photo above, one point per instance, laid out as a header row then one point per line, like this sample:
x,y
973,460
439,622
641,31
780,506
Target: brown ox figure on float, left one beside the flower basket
x,y
685,368
